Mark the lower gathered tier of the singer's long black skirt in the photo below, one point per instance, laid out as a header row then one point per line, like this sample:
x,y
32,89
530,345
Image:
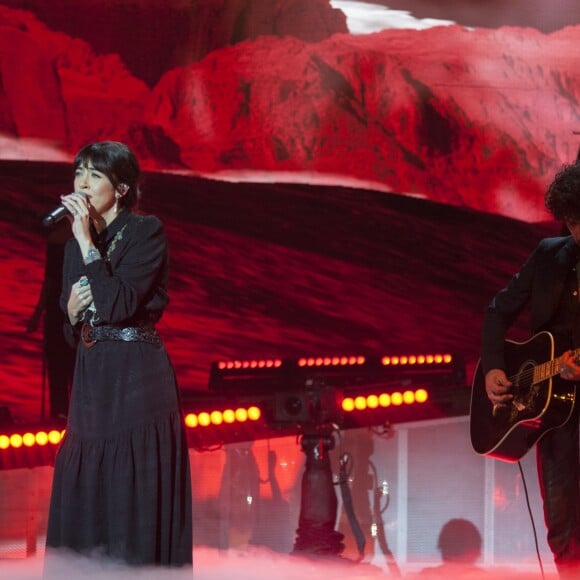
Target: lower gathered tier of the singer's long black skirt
x,y
126,497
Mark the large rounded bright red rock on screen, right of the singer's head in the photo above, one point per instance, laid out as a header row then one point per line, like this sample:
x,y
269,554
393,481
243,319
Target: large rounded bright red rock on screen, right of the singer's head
x,y
474,118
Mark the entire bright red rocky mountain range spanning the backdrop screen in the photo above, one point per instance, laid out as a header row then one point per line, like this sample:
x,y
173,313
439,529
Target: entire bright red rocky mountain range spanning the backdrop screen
x,y
474,118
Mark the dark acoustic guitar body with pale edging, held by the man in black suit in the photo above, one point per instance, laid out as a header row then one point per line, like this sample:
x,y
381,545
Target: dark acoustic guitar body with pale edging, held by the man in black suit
x,y
538,405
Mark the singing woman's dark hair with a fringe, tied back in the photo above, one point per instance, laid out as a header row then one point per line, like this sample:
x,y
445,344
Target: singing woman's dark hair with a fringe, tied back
x,y
118,163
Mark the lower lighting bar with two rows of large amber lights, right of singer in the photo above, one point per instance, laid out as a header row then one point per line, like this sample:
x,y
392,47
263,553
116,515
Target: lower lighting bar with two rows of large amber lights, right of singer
x,y
213,420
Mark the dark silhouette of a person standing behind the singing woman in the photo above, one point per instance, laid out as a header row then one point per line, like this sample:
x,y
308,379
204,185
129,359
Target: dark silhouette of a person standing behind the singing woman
x,y
58,354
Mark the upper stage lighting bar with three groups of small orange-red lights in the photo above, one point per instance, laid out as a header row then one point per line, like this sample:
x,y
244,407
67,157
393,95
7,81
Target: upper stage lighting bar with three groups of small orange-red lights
x,y
270,375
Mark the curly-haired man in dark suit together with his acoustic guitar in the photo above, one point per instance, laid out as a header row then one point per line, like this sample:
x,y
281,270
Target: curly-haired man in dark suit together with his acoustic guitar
x,y
520,397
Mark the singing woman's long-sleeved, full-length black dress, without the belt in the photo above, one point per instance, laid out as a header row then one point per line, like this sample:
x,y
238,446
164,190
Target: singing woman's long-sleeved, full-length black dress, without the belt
x,y
121,483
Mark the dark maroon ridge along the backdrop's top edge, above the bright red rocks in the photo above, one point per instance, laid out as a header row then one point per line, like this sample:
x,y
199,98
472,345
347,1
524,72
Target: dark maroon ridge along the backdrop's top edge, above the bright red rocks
x,y
153,36
